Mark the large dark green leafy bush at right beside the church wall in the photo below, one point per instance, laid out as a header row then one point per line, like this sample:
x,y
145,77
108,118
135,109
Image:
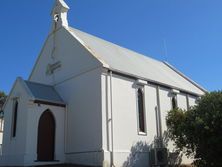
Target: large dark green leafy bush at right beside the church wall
x,y
198,131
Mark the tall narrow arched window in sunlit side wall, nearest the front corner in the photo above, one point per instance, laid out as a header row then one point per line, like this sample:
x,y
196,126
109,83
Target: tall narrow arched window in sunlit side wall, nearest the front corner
x,y
141,114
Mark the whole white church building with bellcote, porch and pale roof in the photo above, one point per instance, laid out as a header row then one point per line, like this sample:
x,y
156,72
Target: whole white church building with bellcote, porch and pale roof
x,y
90,102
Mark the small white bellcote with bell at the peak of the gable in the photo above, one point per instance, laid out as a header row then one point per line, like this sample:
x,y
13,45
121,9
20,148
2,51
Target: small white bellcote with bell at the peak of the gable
x,y
59,15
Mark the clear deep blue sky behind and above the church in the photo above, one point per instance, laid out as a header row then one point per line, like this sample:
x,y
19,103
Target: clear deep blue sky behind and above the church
x,y
191,29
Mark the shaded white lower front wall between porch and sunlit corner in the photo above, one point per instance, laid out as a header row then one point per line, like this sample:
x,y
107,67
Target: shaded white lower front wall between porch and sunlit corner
x,y
82,95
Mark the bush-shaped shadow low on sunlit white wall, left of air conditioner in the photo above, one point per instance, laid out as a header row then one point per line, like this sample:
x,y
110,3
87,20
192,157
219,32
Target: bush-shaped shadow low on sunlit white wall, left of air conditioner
x,y
139,155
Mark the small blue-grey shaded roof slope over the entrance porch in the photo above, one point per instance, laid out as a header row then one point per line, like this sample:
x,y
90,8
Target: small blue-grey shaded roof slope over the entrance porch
x,y
43,92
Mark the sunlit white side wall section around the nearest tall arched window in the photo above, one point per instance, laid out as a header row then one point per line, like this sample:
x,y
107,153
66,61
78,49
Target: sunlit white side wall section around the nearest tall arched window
x,y
126,140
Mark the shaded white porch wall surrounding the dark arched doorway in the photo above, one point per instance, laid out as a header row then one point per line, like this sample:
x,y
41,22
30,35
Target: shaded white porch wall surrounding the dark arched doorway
x,y
34,113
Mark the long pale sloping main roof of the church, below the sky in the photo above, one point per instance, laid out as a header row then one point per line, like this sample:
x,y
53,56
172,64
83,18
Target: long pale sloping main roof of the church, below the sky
x,y
130,62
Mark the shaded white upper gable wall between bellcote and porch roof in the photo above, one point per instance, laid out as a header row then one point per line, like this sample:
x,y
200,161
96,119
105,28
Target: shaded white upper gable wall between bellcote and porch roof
x,y
74,58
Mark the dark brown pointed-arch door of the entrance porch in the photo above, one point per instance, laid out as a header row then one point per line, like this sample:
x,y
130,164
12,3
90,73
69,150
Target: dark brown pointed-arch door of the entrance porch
x,y
46,137
